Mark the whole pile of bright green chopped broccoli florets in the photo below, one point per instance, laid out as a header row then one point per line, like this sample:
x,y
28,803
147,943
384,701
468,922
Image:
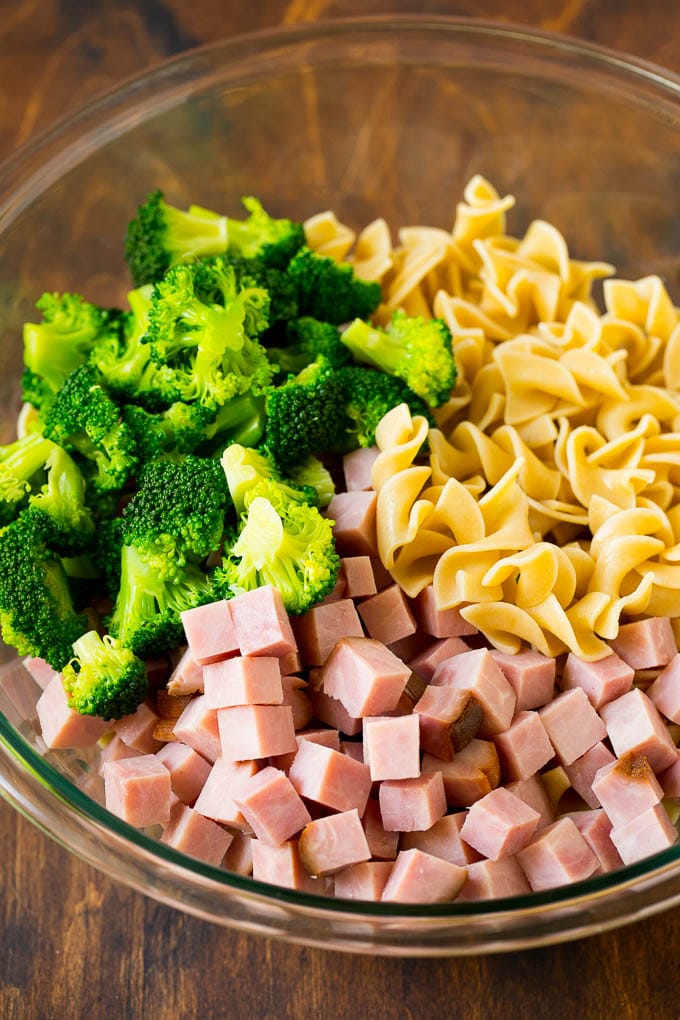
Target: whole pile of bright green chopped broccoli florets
x,y
181,448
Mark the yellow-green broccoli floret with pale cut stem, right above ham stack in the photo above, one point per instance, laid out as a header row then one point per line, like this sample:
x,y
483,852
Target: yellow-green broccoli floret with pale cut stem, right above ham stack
x,y
289,547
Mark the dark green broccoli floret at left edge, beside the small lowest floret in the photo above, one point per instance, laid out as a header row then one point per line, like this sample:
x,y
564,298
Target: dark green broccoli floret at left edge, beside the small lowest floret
x,y
37,613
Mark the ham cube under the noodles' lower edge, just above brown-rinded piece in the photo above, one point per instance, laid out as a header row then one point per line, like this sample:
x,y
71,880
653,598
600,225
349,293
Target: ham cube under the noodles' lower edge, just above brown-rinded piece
x,y
478,673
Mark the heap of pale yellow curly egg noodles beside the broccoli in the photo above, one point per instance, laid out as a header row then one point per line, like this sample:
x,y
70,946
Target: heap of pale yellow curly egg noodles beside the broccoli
x,y
547,502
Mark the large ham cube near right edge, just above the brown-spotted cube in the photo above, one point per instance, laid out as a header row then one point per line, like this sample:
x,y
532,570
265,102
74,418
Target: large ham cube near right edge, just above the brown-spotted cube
x,y
634,725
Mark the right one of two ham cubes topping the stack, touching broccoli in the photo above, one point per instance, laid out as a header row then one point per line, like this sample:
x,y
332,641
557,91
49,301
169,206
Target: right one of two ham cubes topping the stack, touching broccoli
x,y
261,624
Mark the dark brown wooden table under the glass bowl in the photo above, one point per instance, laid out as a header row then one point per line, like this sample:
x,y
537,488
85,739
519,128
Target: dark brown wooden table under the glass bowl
x,y
73,944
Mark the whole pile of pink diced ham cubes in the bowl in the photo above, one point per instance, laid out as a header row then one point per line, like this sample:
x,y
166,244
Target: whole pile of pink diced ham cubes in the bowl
x,y
377,748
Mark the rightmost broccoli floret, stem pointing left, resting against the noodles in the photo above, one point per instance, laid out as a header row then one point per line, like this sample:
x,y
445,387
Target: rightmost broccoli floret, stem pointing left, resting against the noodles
x,y
411,348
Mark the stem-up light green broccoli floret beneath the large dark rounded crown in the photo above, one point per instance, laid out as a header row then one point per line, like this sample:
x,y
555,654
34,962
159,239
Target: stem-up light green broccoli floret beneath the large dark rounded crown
x,y
146,617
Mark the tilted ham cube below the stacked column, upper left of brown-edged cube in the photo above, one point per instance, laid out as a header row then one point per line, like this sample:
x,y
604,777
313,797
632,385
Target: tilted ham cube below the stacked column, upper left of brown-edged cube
x,y
272,806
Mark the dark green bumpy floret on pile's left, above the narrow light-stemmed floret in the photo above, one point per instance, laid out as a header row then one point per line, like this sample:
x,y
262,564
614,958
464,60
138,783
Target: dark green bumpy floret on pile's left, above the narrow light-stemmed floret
x,y
84,419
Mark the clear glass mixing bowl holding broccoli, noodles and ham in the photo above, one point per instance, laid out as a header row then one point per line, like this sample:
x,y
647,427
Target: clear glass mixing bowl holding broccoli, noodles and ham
x,y
381,117
